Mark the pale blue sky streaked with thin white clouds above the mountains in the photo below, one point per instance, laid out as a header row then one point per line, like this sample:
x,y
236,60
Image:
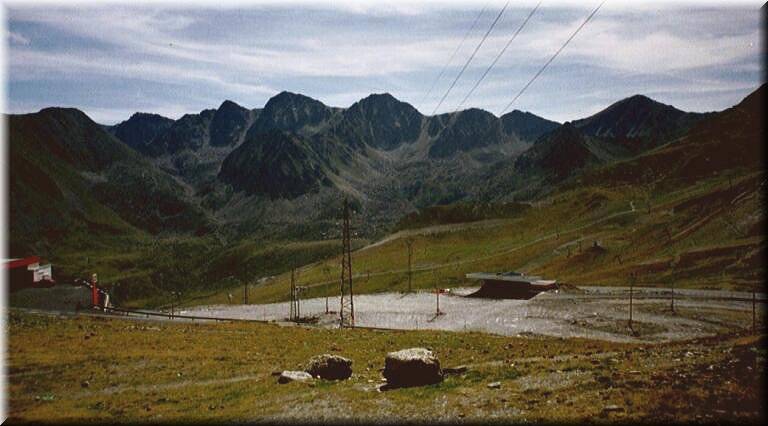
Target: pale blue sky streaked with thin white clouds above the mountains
x,y
113,59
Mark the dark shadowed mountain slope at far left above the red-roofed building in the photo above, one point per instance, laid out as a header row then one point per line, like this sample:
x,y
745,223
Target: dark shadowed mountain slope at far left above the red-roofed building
x,y
69,177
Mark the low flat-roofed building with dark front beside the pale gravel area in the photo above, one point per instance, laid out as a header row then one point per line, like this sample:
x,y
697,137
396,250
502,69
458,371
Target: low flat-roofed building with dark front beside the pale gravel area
x,y
510,285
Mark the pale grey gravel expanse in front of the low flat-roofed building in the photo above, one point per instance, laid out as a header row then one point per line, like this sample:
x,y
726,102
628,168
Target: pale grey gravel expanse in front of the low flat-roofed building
x,y
594,312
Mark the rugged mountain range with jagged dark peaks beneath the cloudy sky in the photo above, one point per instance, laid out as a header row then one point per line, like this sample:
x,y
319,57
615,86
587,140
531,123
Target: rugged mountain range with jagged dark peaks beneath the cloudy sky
x,y
283,169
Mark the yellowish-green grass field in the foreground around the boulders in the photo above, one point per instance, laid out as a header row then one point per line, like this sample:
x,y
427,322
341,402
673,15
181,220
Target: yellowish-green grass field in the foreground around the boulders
x,y
89,369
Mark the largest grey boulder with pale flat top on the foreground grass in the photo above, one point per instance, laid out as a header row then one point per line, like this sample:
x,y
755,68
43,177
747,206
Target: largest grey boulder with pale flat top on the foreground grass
x,y
412,367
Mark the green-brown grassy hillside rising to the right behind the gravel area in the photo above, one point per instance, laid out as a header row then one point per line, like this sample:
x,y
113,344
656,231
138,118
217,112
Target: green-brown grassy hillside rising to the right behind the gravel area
x,y
689,213
